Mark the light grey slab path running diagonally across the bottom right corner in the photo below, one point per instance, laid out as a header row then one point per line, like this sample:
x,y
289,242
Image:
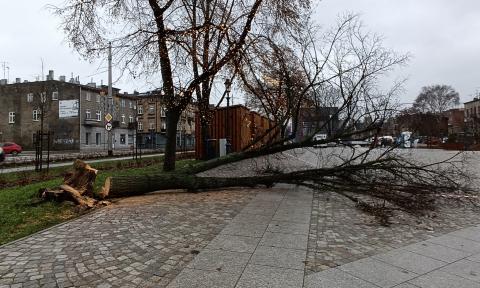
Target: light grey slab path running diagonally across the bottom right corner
x,y
451,260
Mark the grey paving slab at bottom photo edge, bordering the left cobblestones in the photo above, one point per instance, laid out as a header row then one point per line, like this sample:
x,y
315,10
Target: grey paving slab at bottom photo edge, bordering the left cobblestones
x,y
200,278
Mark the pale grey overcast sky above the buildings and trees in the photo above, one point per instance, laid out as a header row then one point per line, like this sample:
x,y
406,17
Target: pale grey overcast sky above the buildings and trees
x,y
441,35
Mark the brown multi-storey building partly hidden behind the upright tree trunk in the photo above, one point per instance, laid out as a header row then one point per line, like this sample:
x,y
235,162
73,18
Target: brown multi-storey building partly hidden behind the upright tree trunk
x,y
152,122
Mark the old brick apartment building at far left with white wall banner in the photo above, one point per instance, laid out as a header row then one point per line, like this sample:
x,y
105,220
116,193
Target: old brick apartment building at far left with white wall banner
x,y
73,112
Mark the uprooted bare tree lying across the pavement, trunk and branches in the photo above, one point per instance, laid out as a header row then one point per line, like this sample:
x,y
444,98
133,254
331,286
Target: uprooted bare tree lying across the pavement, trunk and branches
x,y
348,71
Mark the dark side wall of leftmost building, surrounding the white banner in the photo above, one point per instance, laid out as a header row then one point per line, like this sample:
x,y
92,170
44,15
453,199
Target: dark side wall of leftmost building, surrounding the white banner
x,y
14,98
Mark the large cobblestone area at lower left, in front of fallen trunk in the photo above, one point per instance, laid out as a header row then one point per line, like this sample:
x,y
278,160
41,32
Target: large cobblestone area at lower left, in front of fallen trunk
x,y
138,242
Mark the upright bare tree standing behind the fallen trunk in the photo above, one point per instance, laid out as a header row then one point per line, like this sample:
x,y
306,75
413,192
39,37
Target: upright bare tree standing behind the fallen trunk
x,y
186,43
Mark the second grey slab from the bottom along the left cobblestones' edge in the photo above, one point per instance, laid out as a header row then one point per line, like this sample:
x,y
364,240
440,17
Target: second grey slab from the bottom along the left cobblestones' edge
x,y
221,261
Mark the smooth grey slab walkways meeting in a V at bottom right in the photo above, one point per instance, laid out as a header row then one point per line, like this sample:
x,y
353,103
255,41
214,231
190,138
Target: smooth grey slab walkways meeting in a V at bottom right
x,y
265,245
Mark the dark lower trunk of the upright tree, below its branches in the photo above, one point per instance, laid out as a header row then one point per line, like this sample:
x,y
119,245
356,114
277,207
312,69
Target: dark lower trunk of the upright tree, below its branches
x,y
173,115
